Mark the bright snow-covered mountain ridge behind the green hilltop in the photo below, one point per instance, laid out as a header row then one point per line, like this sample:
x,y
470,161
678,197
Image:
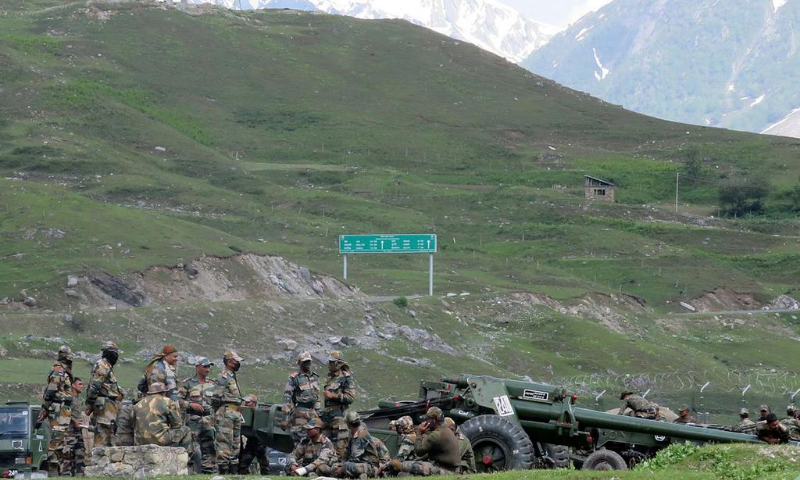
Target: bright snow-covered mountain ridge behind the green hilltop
x,y
487,24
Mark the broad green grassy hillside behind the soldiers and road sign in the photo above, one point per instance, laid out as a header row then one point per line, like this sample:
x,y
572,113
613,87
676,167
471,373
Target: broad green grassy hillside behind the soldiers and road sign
x,y
132,136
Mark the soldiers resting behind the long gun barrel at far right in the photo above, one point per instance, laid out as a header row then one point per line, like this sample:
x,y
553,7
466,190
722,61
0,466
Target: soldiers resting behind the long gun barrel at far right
x,y
768,427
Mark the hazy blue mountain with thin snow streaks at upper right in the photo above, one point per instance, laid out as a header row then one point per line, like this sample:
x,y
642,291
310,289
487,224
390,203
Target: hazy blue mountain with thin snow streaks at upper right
x,y
732,64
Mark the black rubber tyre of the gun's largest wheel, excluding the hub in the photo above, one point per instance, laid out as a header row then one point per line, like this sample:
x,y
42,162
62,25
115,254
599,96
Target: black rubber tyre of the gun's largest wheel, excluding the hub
x,y
510,435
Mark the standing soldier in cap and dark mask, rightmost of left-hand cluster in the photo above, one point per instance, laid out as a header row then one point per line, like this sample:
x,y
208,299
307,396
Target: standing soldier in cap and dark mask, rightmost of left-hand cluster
x,y
227,402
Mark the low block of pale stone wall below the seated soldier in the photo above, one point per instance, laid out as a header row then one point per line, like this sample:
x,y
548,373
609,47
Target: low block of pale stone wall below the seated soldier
x,y
142,461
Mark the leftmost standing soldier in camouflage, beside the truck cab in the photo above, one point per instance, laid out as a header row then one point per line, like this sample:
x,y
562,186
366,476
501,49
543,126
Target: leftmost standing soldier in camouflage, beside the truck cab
x,y
56,406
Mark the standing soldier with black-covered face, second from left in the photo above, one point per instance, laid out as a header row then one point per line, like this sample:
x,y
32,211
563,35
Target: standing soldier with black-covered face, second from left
x,y
104,393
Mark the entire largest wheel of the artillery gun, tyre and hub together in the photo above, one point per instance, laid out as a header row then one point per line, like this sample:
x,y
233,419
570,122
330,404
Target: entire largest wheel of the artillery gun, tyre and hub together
x,y
498,444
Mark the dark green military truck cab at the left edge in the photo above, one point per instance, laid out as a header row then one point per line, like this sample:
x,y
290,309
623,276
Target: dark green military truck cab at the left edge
x,y
23,441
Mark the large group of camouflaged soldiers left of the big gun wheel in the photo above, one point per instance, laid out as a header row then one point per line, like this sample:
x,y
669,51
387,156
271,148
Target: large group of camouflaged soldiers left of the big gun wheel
x,y
330,438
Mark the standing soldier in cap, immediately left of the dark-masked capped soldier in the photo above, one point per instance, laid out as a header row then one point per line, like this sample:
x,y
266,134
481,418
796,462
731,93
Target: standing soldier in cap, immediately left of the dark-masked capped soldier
x,y
195,401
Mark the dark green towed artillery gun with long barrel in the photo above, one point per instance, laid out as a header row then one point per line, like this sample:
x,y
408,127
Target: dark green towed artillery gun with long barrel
x,y
515,425
